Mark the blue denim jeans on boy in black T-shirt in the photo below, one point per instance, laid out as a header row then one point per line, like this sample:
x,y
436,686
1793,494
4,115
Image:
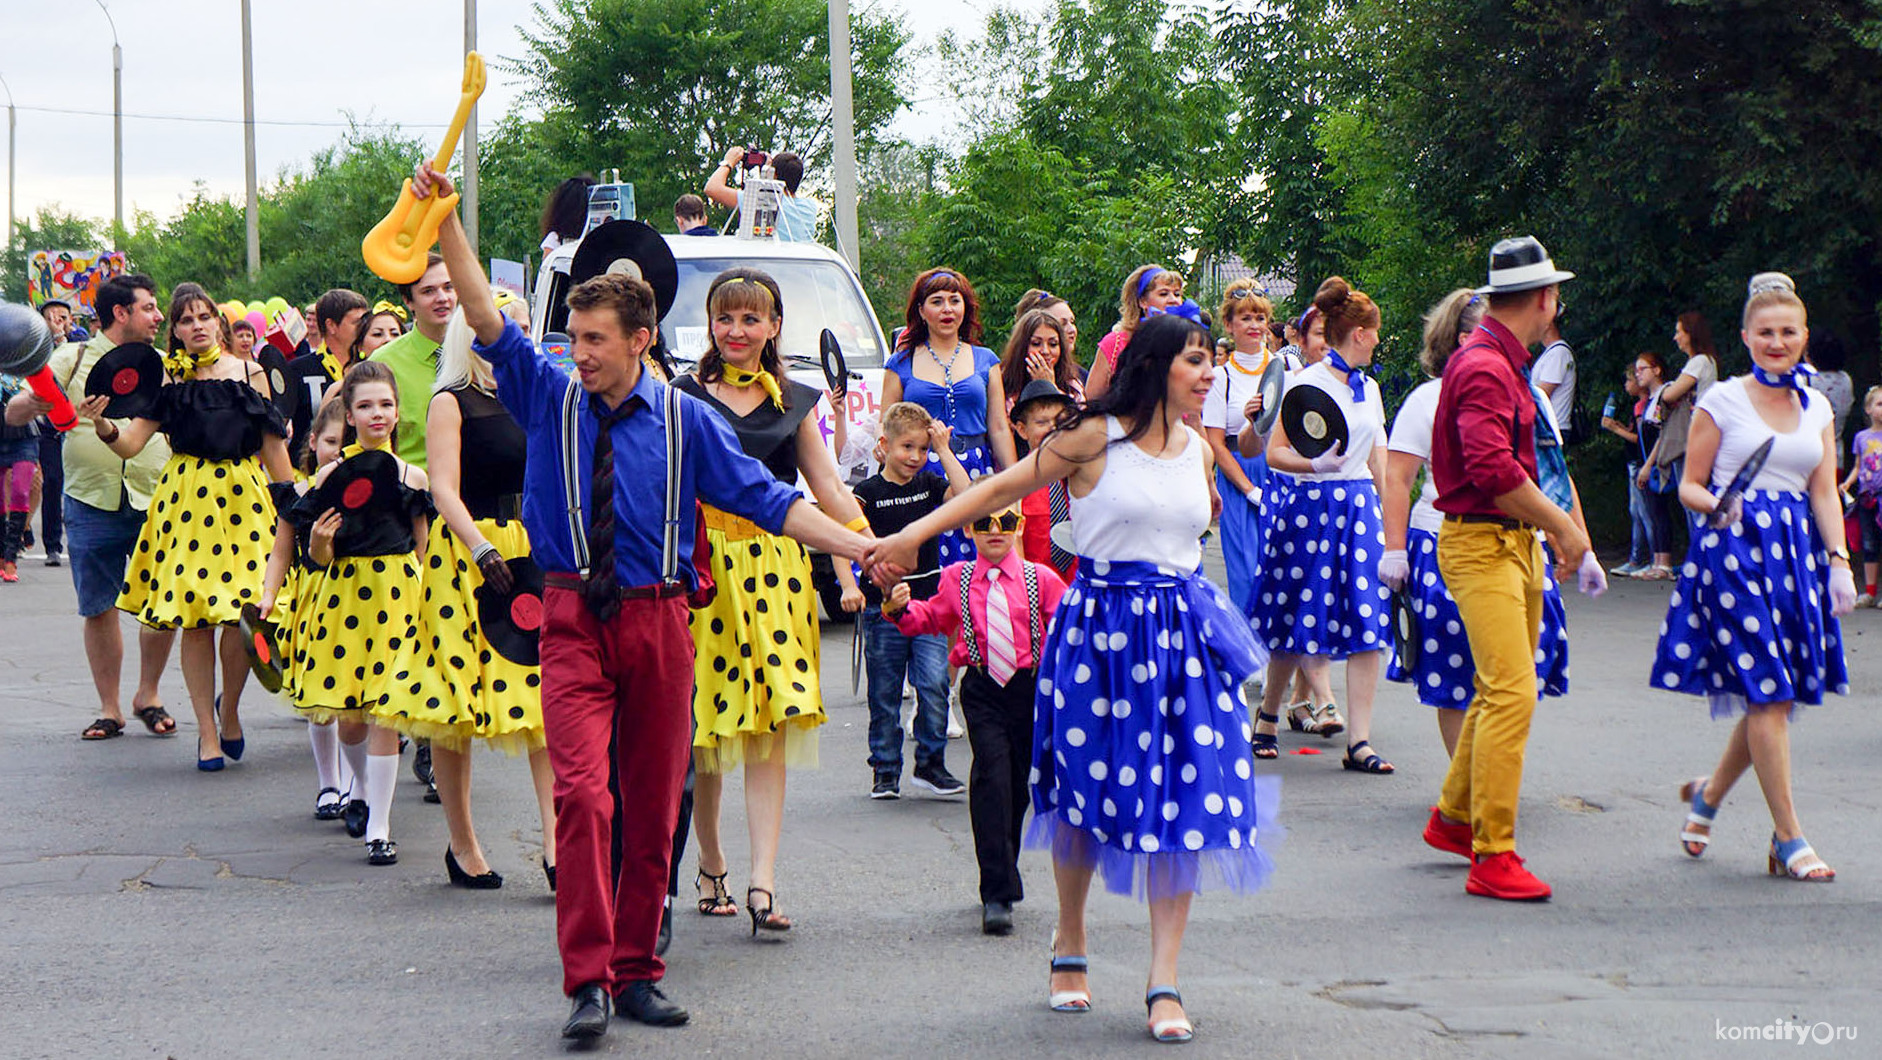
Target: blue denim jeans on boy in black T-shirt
x,y
889,658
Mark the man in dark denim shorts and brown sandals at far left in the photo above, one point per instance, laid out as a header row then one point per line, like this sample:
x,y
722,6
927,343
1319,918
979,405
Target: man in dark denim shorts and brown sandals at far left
x,y
106,500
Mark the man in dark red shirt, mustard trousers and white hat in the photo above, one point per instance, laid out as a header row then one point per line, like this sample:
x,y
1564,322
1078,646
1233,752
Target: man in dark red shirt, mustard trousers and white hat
x,y
1484,464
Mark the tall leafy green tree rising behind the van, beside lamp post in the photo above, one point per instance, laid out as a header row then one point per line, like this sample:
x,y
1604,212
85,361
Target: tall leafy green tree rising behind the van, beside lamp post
x,y
663,88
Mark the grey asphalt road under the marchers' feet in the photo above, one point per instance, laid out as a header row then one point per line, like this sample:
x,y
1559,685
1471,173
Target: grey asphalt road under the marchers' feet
x,y
157,912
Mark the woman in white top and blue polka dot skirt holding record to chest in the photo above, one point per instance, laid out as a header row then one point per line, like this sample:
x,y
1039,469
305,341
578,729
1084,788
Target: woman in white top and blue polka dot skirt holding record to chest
x,y
1320,596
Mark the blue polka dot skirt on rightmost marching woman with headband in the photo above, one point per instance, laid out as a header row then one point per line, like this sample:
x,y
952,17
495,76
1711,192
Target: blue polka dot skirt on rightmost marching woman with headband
x,y
1749,620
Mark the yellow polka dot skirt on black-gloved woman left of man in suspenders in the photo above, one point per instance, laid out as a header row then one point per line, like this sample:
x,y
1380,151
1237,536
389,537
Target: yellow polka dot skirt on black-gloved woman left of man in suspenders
x,y
462,690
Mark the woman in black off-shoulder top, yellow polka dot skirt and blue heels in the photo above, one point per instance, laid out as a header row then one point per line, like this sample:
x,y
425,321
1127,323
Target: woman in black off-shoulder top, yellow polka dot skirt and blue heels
x,y
206,539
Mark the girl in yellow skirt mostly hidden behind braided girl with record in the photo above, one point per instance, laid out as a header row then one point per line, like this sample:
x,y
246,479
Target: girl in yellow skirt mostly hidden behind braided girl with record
x,y
287,594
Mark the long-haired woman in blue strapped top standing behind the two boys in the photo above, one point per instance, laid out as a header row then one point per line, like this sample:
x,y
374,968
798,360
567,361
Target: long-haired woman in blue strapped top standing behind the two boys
x,y
940,366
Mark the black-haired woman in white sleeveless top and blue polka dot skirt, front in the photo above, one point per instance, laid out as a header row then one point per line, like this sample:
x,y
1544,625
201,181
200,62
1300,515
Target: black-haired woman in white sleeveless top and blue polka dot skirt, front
x,y
1141,767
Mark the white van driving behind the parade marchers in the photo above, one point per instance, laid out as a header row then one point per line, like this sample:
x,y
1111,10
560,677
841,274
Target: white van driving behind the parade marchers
x,y
820,291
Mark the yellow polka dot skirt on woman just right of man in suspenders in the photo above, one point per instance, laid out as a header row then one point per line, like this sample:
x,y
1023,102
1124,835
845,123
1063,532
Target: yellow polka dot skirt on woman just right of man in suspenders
x,y
756,667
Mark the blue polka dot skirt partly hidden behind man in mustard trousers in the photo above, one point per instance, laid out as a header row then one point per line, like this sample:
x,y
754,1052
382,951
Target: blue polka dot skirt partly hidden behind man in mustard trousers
x,y
1446,675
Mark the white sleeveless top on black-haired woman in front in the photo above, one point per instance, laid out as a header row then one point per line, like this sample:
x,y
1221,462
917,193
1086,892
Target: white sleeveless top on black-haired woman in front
x,y
1145,507
